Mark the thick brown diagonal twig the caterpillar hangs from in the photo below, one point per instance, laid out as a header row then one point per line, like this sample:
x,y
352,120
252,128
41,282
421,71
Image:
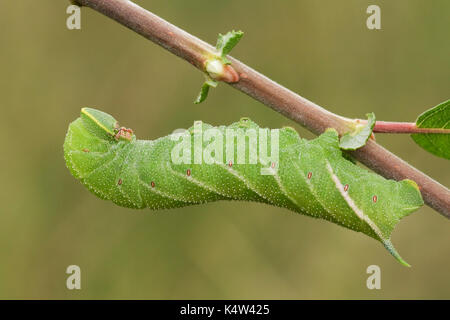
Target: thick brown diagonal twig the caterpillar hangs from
x,y
256,85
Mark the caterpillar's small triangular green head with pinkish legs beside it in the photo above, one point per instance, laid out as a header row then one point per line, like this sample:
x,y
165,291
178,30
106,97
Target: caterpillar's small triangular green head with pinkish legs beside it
x,y
104,125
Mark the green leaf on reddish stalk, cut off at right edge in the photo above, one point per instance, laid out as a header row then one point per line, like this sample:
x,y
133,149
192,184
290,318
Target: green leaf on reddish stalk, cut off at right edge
x,y
435,143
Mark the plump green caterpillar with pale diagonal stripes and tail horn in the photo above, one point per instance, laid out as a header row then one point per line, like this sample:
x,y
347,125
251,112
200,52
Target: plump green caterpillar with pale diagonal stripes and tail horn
x,y
311,177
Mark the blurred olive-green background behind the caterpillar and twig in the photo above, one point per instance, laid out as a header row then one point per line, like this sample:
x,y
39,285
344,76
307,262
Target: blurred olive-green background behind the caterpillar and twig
x,y
320,49
